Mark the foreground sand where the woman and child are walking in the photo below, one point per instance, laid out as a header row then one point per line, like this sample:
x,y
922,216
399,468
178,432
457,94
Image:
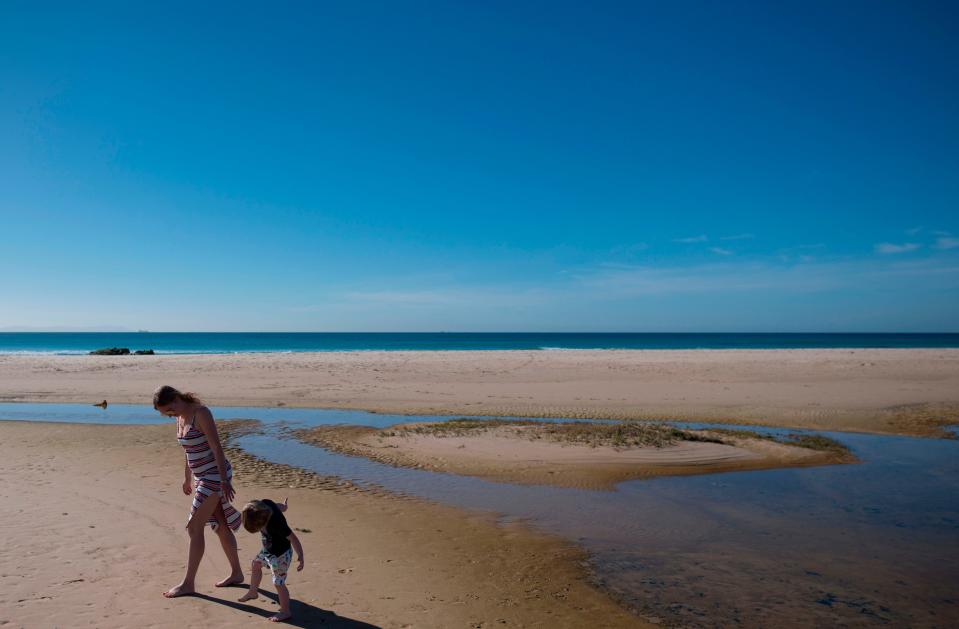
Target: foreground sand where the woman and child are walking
x,y
93,533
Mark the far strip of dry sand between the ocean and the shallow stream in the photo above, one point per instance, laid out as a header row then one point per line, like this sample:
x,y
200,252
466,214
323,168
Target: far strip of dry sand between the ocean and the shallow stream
x,y
904,391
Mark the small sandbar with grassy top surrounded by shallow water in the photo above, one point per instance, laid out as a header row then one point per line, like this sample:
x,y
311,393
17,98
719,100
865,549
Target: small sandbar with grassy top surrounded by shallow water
x,y
519,454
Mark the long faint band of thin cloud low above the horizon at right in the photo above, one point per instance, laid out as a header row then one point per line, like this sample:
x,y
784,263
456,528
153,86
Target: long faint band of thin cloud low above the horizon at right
x,y
590,286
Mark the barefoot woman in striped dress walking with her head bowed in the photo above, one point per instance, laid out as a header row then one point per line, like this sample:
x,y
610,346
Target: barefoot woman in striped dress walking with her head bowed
x,y
207,476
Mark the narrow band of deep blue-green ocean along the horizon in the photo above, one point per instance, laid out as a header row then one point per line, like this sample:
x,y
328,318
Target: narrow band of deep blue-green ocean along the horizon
x,y
252,342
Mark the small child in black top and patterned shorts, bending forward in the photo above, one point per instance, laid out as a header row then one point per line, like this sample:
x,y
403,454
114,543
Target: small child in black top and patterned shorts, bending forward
x,y
267,517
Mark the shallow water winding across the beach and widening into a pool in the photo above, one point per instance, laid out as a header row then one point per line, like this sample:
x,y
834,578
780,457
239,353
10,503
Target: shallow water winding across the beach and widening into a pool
x,y
868,544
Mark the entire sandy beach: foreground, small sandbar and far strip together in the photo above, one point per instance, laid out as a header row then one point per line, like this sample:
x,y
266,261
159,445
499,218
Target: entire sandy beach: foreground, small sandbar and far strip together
x,y
108,513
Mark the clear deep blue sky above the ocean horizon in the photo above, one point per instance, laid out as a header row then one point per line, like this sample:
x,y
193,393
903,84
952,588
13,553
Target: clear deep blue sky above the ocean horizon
x,y
480,166
